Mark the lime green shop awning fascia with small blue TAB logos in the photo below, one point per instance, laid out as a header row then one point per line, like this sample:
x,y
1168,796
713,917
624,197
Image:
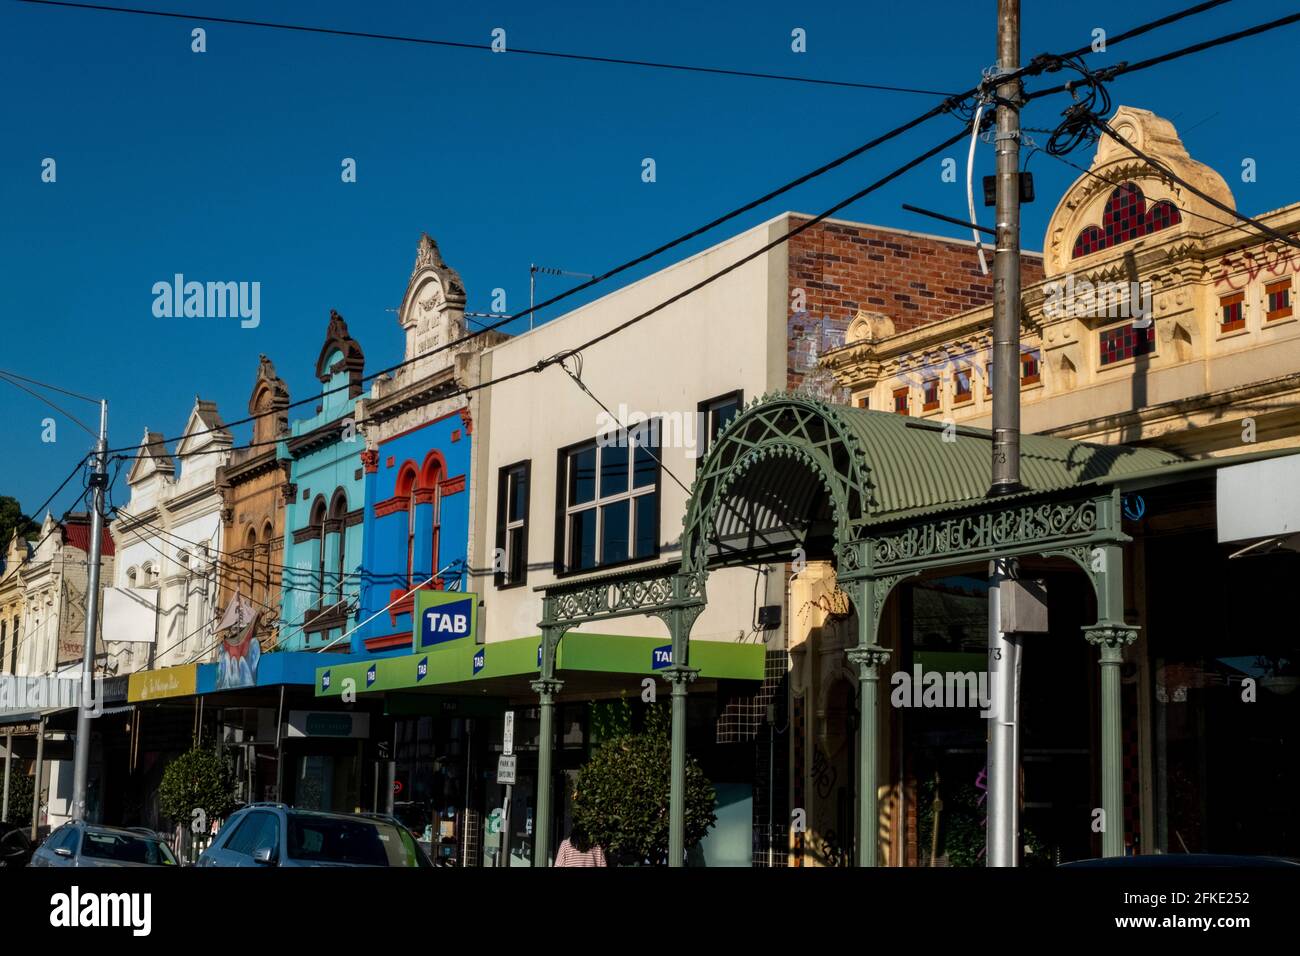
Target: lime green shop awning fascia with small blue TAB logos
x,y
465,663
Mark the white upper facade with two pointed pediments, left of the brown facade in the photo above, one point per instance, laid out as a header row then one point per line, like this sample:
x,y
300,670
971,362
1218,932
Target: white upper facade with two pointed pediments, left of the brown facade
x,y
170,540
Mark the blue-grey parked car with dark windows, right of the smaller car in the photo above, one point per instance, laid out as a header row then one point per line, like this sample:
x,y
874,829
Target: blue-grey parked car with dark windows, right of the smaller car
x,y
281,836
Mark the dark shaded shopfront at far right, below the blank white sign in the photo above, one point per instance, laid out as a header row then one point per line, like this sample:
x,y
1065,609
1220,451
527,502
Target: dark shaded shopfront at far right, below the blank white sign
x,y
1225,699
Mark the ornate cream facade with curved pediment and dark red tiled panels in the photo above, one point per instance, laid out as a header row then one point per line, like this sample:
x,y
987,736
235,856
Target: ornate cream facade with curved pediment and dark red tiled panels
x,y
1203,391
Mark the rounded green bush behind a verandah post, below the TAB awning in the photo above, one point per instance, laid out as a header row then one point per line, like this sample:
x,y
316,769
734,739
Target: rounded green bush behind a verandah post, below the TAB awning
x,y
622,799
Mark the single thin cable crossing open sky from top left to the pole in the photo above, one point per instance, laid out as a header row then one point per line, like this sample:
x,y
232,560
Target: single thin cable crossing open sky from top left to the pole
x,y
488,47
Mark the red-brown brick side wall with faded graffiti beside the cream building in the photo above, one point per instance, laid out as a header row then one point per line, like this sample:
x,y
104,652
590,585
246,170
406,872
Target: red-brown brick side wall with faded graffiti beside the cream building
x,y
912,279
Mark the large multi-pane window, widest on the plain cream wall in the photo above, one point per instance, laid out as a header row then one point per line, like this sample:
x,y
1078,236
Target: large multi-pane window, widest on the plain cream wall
x,y
610,500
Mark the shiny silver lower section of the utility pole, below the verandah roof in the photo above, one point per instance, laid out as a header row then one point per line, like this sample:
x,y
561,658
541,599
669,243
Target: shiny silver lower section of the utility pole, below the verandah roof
x,y
1004,733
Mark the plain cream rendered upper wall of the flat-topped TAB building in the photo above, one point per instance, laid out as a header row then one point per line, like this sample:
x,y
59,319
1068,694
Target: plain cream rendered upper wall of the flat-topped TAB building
x,y
729,338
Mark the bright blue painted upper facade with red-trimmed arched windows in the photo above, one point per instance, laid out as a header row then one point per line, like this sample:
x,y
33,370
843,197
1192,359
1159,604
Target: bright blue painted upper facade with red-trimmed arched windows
x,y
417,526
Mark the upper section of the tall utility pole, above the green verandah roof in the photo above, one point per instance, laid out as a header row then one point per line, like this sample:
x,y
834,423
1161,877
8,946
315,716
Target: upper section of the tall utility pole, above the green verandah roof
x,y
1007,261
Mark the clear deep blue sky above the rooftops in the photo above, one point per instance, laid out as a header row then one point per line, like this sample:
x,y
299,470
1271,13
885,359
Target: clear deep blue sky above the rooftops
x,y
226,166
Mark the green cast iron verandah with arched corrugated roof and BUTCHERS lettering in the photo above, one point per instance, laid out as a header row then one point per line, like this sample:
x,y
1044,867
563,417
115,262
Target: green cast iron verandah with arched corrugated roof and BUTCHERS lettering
x,y
887,498
